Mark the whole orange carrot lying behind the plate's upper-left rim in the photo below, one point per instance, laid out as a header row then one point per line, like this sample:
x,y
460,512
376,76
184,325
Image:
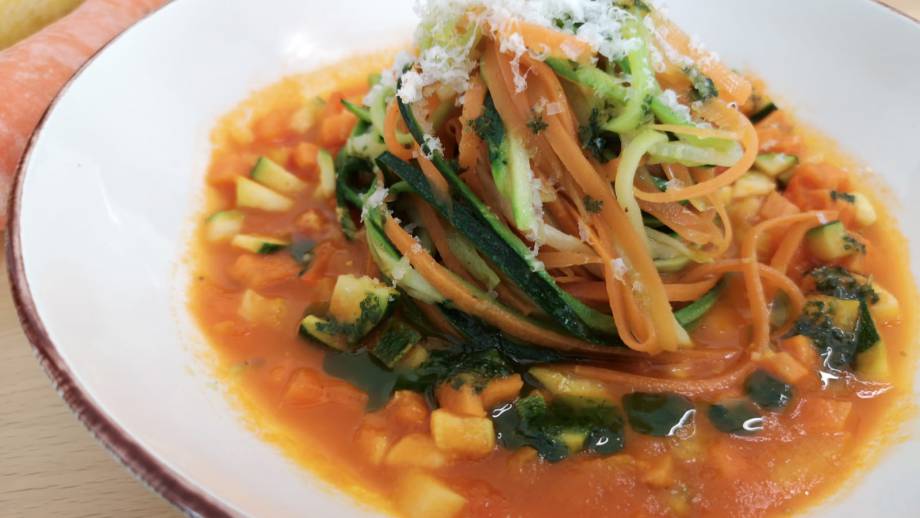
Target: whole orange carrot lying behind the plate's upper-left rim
x,y
33,71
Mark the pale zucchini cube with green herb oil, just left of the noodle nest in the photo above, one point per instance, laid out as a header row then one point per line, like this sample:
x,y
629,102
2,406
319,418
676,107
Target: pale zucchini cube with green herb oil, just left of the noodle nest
x,y
352,296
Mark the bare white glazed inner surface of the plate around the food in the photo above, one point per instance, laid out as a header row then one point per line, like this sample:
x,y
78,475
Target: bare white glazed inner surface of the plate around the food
x,y
115,176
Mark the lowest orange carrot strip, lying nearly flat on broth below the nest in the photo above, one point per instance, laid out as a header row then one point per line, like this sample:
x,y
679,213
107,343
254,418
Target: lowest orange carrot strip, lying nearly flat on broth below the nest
x,y
689,387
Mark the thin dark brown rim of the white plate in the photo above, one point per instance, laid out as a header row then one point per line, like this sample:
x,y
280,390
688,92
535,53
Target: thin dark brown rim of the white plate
x,y
186,496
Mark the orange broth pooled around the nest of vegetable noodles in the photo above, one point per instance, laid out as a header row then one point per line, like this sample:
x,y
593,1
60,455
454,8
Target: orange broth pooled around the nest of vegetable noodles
x,y
803,454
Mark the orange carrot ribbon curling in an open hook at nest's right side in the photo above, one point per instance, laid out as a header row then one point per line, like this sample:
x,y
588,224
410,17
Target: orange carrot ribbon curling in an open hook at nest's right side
x,y
716,111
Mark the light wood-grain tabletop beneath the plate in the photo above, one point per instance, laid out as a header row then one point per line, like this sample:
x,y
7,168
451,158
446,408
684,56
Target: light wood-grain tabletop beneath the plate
x,y
49,464
